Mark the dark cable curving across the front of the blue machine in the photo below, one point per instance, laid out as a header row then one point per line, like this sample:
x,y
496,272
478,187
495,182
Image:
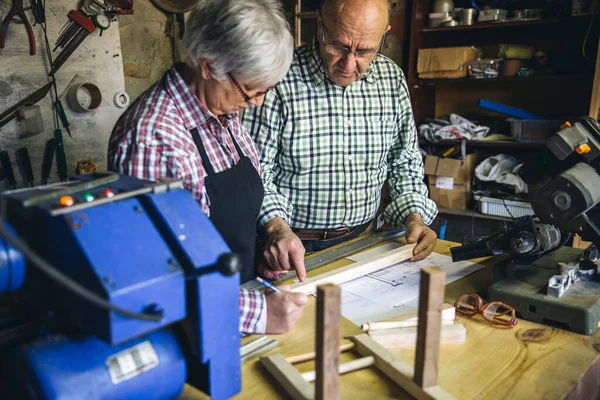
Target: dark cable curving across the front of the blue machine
x,y
68,283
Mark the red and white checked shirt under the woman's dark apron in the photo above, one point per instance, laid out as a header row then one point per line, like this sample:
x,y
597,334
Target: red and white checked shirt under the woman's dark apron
x,y
152,141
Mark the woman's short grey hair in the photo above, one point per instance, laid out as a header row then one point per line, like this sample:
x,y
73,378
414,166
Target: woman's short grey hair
x,y
249,38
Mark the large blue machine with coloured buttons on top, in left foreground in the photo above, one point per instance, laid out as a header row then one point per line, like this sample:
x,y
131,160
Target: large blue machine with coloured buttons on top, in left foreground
x,y
141,294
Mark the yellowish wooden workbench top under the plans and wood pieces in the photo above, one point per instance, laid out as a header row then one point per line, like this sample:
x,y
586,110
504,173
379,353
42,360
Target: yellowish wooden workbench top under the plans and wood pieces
x,y
529,361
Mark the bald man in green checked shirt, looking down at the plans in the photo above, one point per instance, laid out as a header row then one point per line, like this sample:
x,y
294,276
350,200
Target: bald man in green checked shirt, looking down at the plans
x,y
333,131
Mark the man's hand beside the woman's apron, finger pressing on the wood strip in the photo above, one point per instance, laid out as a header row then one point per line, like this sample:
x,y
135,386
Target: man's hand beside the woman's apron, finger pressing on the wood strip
x,y
283,252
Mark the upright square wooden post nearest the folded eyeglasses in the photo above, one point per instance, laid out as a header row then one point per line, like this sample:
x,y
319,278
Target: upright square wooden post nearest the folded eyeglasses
x,y
431,299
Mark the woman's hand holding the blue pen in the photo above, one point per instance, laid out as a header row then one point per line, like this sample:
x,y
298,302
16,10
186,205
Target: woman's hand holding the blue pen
x,y
283,309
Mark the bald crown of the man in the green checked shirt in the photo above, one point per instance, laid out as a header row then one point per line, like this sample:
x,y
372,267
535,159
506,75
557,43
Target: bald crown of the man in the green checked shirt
x,y
372,14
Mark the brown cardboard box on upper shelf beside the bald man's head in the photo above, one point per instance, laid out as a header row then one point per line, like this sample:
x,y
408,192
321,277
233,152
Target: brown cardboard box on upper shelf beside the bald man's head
x,y
445,62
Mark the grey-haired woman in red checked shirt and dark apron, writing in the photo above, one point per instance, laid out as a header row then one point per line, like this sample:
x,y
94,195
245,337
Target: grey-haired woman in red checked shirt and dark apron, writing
x,y
186,126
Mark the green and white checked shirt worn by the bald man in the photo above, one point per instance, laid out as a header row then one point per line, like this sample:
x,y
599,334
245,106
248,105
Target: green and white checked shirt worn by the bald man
x,y
326,150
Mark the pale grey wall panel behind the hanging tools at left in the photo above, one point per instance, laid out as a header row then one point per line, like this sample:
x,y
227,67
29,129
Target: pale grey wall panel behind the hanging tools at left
x,y
97,60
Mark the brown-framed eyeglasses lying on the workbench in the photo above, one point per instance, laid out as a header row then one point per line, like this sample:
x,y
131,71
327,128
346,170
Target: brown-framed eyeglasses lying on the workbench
x,y
495,312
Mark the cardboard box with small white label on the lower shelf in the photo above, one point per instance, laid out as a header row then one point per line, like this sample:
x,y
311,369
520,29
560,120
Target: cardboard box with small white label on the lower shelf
x,y
450,180
